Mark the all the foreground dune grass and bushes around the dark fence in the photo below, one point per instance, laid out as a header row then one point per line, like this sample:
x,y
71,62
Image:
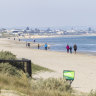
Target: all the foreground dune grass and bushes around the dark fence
x,y
12,78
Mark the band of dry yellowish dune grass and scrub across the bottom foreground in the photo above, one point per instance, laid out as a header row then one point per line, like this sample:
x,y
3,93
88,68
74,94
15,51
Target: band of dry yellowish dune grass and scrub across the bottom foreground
x,y
48,87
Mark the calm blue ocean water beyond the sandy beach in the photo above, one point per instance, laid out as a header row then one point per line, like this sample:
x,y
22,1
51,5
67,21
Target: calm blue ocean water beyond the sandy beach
x,y
84,43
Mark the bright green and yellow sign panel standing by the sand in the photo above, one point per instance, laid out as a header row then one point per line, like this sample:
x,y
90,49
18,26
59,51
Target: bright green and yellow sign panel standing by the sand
x,y
68,74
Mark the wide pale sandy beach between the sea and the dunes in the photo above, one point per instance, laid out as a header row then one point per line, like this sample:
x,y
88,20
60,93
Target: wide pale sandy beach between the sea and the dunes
x,y
84,65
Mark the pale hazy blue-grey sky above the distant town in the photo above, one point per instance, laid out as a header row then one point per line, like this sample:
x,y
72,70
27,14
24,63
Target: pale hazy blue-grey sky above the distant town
x,y
47,13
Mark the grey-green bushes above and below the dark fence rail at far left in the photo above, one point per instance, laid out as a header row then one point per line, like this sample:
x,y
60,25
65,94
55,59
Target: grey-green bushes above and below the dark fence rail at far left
x,y
8,68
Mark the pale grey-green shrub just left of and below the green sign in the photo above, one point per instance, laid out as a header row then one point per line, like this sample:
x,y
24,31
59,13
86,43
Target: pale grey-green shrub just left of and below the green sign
x,y
52,84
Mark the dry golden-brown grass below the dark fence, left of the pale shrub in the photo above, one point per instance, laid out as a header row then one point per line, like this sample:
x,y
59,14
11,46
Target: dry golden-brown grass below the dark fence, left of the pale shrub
x,y
20,84
